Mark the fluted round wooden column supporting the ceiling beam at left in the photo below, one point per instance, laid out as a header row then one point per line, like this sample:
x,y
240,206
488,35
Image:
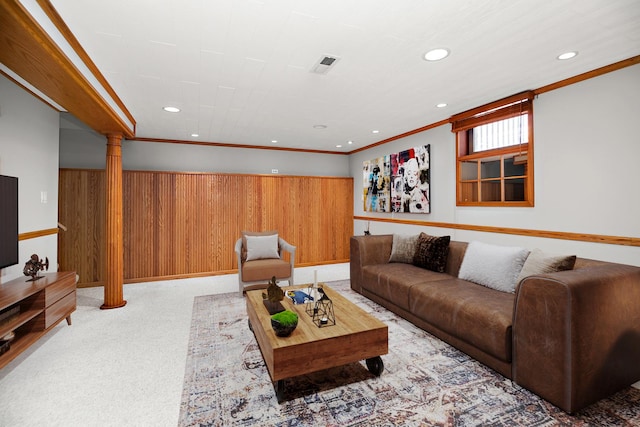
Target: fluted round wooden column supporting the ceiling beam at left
x,y
113,295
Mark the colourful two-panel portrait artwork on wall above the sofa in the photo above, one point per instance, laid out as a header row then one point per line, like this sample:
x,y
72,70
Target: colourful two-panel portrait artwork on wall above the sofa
x,y
399,182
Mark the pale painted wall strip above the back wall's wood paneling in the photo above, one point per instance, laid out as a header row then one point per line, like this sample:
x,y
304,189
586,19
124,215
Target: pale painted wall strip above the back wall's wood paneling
x,y
85,149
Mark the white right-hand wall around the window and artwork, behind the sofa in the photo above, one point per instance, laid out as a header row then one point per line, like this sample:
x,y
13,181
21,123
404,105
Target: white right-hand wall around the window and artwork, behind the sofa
x,y
586,173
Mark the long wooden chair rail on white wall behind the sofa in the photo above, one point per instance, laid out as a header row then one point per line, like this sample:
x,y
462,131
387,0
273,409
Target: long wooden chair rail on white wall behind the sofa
x,y
562,235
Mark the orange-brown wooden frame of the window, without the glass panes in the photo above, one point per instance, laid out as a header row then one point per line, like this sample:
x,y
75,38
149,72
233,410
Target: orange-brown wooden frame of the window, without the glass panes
x,y
462,123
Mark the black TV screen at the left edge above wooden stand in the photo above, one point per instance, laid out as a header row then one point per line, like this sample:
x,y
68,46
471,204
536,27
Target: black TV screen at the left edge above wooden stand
x,y
8,221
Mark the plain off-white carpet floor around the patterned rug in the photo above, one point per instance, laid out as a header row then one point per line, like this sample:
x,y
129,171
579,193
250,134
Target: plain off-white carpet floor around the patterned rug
x,y
121,367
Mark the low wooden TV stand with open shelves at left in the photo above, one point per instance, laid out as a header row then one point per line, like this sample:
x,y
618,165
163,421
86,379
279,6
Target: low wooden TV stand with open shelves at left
x,y
42,305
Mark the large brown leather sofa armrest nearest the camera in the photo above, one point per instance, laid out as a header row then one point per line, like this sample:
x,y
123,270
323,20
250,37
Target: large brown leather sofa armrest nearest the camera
x,y
576,334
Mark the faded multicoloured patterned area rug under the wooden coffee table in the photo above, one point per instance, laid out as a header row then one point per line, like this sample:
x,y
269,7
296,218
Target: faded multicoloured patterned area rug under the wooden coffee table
x,y
425,382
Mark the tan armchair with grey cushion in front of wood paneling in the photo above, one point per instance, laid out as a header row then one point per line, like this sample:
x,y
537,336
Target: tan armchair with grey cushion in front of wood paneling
x,y
260,257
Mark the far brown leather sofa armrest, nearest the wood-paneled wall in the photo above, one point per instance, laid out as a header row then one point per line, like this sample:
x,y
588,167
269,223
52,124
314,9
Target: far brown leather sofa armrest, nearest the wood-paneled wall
x,y
367,250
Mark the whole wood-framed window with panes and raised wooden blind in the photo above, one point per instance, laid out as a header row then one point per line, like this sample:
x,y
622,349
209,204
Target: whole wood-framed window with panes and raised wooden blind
x,y
495,153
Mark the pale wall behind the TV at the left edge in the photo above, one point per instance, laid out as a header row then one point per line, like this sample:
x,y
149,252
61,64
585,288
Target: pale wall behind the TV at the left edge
x,y
29,134
